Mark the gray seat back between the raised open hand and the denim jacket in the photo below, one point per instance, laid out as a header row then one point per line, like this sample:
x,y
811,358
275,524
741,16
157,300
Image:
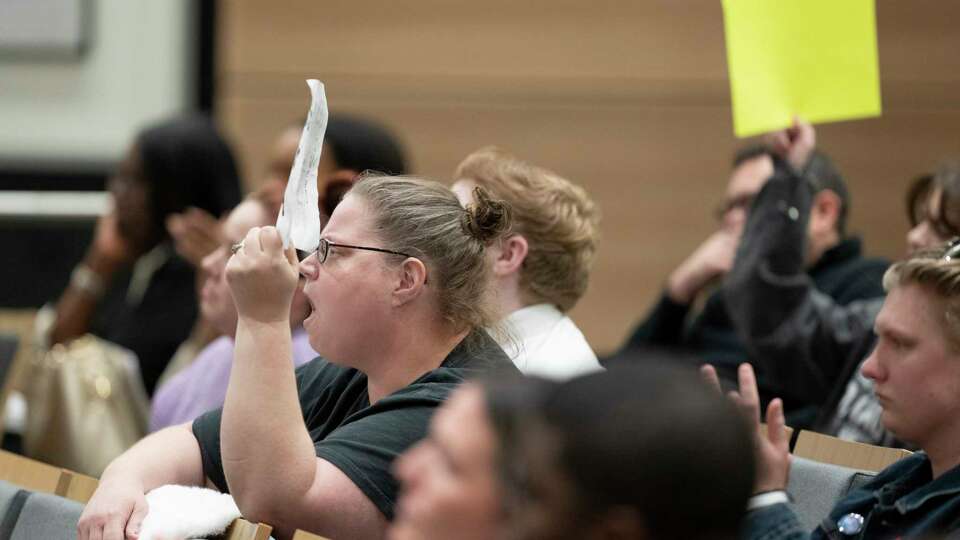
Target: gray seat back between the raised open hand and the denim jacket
x,y
816,487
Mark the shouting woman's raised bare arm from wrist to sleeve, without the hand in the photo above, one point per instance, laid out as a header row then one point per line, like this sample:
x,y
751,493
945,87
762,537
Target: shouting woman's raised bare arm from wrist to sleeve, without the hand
x,y
268,456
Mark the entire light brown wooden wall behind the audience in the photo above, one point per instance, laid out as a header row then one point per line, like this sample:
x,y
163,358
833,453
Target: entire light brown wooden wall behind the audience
x,y
629,99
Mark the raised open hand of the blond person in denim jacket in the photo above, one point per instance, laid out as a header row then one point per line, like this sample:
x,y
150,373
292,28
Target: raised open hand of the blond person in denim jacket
x,y
771,446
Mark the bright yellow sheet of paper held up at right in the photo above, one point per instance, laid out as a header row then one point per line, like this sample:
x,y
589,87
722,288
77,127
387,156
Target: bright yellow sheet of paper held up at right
x,y
812,58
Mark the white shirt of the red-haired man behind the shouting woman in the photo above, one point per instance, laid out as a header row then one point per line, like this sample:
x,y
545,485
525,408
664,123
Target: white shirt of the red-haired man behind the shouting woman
x,y
542,341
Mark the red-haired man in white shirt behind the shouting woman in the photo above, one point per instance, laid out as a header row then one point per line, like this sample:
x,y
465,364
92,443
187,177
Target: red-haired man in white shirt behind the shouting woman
x,y
542,267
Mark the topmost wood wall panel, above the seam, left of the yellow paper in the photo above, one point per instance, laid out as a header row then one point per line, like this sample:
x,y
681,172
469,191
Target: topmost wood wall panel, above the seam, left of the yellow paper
x,y
504,38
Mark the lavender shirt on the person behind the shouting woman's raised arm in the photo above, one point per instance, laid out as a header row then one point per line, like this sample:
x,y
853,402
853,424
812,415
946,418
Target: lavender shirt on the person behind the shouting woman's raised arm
x,y
202,386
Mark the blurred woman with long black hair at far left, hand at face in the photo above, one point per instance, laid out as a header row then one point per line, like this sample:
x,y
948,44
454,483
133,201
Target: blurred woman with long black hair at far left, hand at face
x,y
131,288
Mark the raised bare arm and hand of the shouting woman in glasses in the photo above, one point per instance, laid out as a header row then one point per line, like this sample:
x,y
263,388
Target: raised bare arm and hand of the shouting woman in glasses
x,y
268,456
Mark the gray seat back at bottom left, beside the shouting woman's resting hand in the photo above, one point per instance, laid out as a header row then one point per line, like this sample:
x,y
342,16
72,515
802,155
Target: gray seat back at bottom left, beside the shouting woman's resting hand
x,y
48,517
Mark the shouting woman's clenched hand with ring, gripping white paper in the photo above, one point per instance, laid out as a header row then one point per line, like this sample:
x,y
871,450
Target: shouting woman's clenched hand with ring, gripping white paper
x,y
263,277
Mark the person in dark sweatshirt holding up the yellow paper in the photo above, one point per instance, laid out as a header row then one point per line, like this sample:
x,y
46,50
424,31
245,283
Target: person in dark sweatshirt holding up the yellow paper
x,y
803,339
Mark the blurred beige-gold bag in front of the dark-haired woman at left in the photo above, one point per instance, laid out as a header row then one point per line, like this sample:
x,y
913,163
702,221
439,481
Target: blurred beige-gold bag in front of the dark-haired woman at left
x,y
86,405
